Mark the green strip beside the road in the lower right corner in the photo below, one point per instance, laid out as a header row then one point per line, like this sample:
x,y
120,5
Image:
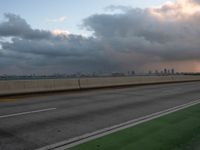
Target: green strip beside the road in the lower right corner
x,y
176,131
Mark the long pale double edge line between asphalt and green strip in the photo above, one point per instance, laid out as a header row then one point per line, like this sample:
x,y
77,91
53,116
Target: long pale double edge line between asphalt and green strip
x,y
100,133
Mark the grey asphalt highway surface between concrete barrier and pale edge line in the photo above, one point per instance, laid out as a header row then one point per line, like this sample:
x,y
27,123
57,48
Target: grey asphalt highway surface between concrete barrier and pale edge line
x,y
31,122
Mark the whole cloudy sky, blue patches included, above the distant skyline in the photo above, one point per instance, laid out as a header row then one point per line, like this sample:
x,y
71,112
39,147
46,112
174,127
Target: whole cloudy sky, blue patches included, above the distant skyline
x,y
65,36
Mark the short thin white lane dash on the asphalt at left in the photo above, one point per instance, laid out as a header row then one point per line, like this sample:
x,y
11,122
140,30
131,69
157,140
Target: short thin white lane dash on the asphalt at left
x,y
26,113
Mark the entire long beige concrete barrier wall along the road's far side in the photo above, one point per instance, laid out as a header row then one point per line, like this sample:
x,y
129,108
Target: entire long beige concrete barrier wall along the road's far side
x,y
34,86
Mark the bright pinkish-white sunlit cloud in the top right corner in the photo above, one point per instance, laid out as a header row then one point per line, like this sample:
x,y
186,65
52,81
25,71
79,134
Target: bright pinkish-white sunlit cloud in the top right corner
x,y
178,10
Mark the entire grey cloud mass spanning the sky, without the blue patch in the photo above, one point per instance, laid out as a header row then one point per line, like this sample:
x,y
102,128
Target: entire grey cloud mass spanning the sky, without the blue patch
x,y
122,40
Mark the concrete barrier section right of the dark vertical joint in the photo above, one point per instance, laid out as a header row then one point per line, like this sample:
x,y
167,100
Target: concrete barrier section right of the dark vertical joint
x,y
126,81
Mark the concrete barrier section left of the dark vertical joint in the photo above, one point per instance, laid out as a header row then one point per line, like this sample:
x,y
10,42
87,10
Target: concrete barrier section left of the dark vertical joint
x,y
32,86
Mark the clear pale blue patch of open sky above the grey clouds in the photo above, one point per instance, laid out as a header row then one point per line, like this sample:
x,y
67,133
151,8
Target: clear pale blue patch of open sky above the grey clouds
x,y
44,14
